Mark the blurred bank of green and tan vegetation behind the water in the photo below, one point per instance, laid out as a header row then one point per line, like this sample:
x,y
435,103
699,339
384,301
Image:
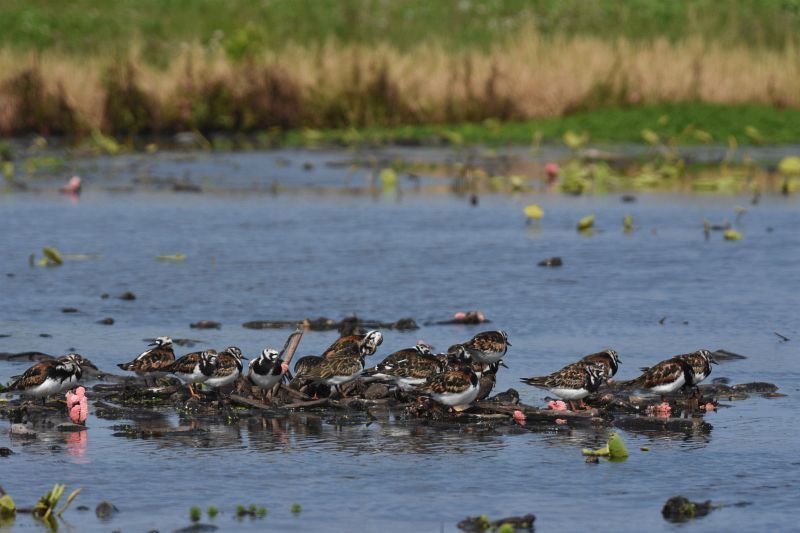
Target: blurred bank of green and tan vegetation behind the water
x,y
511,67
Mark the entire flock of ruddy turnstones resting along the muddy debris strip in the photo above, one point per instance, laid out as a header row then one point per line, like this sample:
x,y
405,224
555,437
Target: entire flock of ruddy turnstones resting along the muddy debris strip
x,y
457,378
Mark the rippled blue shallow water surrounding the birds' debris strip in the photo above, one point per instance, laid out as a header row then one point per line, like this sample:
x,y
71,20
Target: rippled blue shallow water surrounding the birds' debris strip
x,y
255,255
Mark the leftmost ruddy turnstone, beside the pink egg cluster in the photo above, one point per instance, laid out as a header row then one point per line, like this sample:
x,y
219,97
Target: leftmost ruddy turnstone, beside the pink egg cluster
x,y
50,377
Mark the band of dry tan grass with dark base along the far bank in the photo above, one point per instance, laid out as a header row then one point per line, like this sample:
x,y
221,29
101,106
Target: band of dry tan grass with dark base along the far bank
x,y
335,85
